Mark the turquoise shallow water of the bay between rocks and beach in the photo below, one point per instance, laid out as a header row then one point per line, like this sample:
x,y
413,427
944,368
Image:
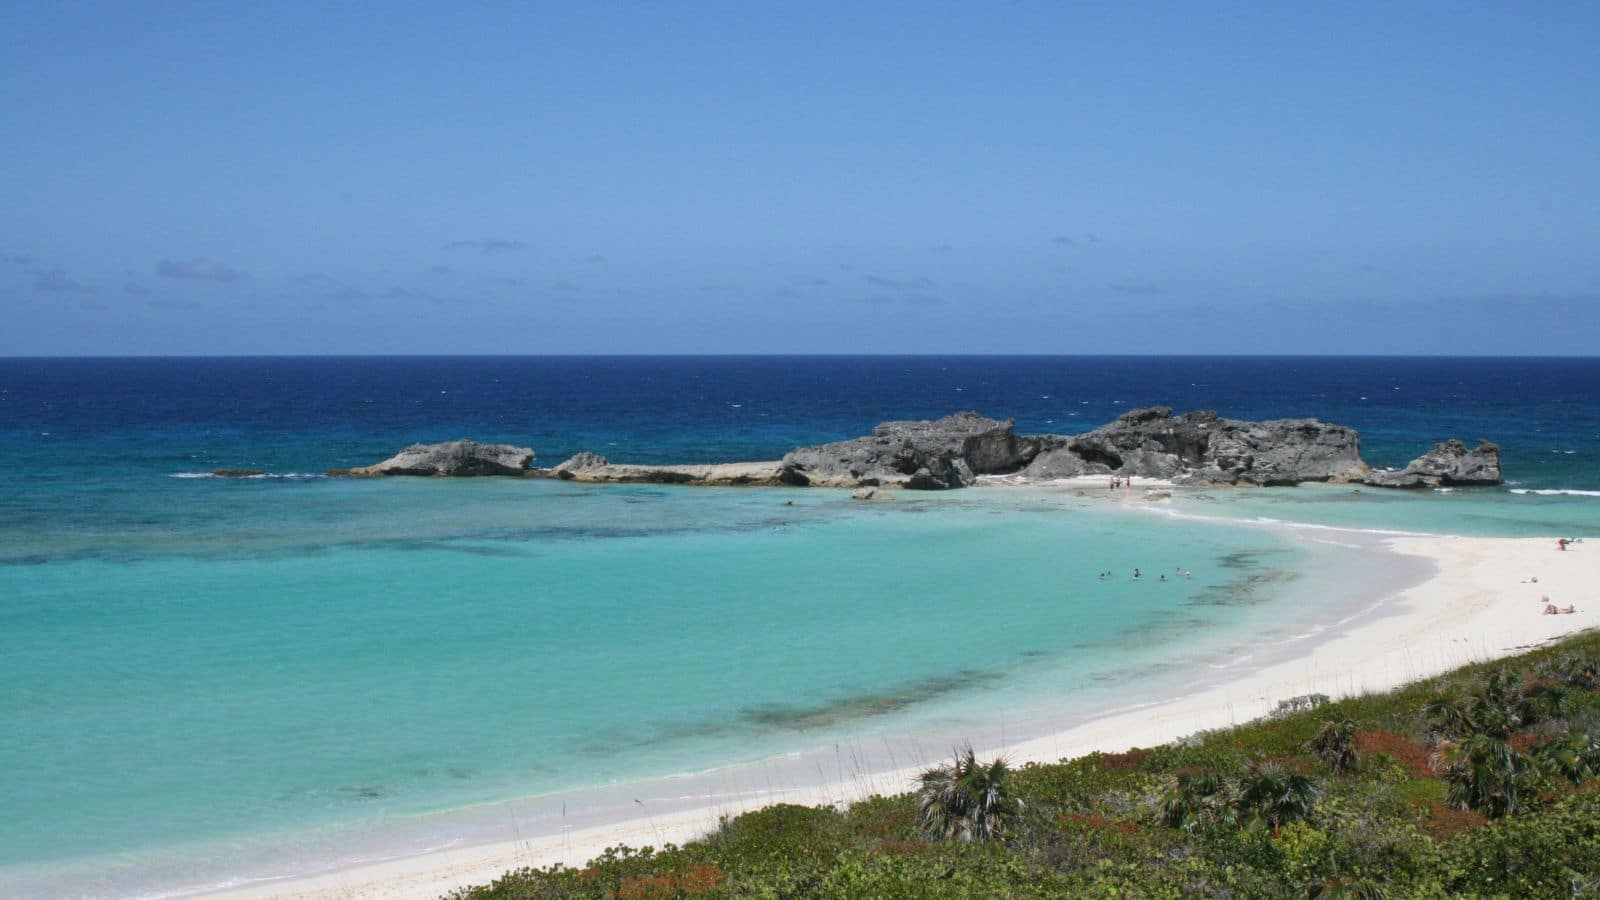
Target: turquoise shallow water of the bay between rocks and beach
x,y
388,649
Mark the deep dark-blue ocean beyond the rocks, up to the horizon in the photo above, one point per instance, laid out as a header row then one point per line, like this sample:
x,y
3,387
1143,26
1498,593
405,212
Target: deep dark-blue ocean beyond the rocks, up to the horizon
x,y
103,420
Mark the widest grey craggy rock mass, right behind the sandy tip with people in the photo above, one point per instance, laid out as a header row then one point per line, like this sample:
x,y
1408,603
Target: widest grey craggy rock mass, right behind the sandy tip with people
x,y
1209,449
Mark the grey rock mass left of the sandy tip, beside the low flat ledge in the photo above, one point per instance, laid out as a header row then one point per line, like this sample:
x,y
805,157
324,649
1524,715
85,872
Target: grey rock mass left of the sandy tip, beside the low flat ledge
x,y
921,456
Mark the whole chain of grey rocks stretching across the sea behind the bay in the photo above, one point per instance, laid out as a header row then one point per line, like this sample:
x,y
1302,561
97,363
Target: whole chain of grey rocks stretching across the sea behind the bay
x,y
1199,448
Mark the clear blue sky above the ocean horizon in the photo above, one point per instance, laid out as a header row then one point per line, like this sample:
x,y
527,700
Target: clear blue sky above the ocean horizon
x,y
367,179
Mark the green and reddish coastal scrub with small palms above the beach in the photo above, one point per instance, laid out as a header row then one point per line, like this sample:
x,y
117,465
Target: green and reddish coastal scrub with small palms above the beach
x,y
1479,782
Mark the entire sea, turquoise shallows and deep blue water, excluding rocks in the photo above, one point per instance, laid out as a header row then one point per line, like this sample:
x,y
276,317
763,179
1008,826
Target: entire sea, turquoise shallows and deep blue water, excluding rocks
x,y
207,681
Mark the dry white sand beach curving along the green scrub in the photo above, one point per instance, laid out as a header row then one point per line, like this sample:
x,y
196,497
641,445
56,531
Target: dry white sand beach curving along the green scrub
x,y
1476,606
